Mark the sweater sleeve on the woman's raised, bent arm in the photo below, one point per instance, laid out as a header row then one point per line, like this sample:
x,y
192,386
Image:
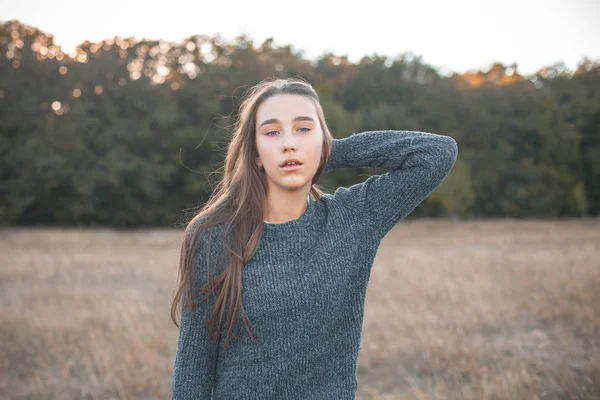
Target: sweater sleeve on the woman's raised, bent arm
x,y
417,162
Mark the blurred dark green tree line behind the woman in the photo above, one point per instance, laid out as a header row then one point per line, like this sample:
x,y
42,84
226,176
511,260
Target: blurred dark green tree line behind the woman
x,y
127,133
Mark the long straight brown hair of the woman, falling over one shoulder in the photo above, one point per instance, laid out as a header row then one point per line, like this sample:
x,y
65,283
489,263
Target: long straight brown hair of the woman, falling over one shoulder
x,y
238,202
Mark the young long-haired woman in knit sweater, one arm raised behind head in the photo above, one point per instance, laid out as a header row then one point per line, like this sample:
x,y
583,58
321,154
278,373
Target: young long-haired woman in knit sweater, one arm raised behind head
x,y
291,262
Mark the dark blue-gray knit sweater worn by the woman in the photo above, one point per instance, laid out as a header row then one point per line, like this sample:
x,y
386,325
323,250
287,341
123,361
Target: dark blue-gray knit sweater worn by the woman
x,y
304,288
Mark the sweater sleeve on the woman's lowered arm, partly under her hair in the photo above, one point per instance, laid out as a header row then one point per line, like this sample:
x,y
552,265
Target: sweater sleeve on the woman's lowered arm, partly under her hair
x,y
196,355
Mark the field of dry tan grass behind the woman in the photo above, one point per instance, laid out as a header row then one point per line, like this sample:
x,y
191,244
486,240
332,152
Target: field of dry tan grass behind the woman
x,y
455,310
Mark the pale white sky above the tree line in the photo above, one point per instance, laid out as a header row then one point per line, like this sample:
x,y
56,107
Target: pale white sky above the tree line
x,y
456,36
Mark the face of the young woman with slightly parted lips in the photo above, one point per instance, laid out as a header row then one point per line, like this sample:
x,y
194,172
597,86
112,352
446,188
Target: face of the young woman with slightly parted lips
x,y
287,126
